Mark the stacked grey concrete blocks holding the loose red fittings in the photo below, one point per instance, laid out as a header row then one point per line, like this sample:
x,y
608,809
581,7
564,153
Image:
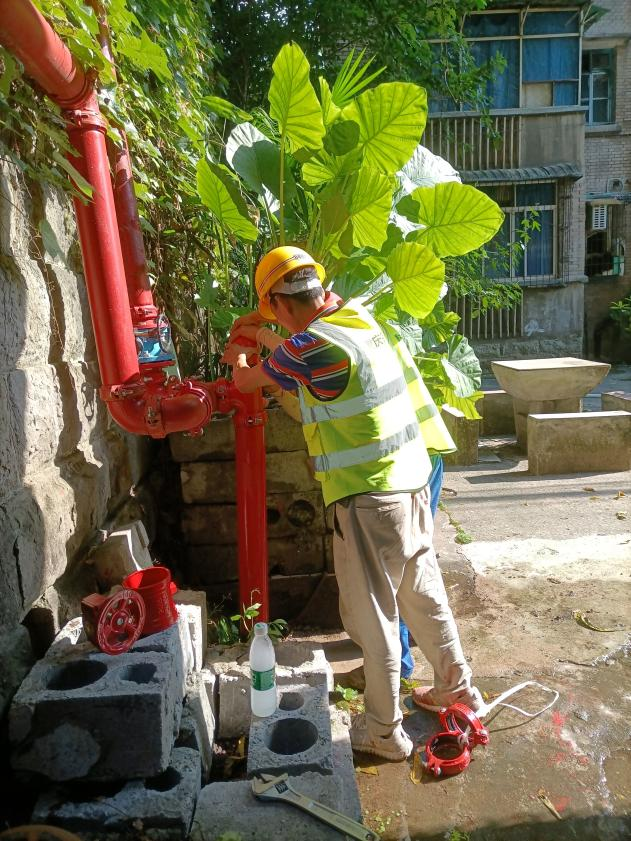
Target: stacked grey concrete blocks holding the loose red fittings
x,y
127,739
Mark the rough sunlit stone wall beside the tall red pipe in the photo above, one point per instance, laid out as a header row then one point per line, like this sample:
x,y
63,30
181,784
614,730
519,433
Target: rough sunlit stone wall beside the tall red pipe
x,y
66,471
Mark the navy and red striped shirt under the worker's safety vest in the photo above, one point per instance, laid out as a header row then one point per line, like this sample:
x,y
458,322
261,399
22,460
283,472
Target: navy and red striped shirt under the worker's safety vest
x,y
306,359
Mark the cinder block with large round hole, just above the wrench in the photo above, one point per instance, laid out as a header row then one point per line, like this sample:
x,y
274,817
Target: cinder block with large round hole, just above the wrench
x,y
296,737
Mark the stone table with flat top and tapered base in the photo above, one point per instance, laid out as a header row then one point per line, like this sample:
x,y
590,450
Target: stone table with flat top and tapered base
x,y
547,386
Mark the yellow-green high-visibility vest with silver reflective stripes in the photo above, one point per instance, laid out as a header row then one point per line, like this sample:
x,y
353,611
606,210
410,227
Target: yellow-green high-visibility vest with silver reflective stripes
x,y
375,435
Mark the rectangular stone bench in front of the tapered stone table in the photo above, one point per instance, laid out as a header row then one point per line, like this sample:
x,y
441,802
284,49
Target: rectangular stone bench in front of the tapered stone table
x,y
577,442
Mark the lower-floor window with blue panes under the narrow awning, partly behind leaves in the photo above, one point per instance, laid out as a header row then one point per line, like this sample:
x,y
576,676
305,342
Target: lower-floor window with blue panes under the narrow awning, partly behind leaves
x,y
536,258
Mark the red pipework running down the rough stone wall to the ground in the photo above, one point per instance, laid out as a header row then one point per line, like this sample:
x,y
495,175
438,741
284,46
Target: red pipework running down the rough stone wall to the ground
x,y
142,402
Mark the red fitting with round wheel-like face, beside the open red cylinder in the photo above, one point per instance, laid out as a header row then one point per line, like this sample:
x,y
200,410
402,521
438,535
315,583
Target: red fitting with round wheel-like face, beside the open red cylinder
x,y
113,623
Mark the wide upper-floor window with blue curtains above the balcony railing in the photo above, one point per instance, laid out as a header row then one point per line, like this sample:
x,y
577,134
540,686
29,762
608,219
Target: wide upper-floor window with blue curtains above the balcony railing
x,y
540,54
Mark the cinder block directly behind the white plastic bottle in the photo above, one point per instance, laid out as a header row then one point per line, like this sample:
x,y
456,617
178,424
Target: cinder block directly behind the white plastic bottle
x,y
295,663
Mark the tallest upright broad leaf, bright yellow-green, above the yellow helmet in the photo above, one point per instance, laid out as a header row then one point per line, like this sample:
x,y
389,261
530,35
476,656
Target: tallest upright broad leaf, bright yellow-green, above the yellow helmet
x,y
293,101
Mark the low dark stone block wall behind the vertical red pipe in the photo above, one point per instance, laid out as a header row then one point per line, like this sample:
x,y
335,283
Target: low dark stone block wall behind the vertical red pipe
x,y
302,583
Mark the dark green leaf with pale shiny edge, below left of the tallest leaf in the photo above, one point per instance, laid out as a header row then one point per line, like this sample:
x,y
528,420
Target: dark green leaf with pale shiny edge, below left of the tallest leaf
x,y
257,160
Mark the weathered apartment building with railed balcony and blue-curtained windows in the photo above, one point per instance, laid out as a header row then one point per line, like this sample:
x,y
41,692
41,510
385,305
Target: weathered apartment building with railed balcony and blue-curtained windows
x,y
554,151
